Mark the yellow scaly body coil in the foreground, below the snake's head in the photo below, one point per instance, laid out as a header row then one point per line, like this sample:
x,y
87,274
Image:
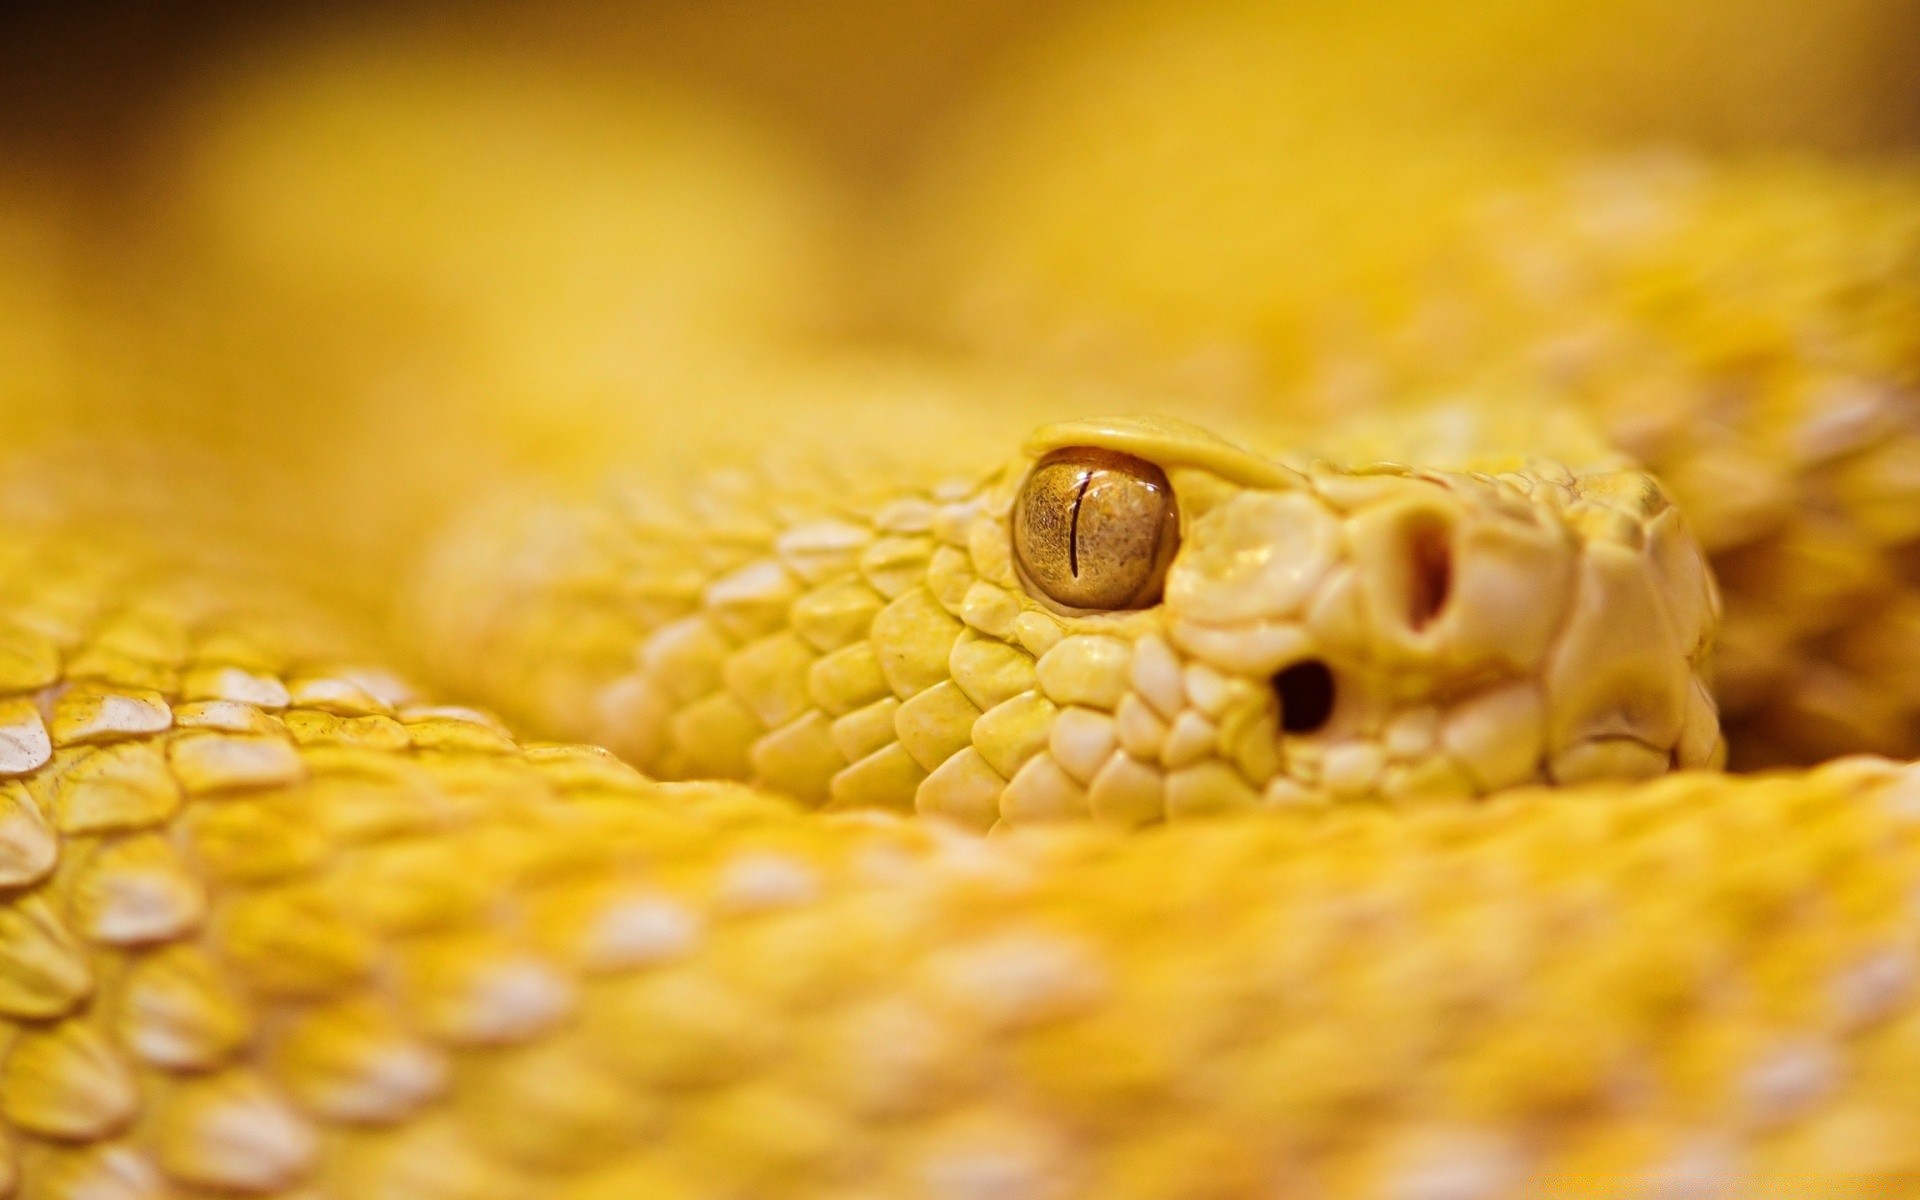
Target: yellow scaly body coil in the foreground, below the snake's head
x,y
276,928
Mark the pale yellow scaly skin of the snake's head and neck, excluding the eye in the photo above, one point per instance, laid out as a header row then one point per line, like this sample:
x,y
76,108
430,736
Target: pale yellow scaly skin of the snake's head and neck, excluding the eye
x,y
888,654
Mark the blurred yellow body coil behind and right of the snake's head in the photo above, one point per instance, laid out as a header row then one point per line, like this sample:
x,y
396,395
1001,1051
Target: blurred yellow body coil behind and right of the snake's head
x,y
1742,327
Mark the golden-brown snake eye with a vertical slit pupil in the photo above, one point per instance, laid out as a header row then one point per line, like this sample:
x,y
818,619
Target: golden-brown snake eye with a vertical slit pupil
x,y
1095,529
